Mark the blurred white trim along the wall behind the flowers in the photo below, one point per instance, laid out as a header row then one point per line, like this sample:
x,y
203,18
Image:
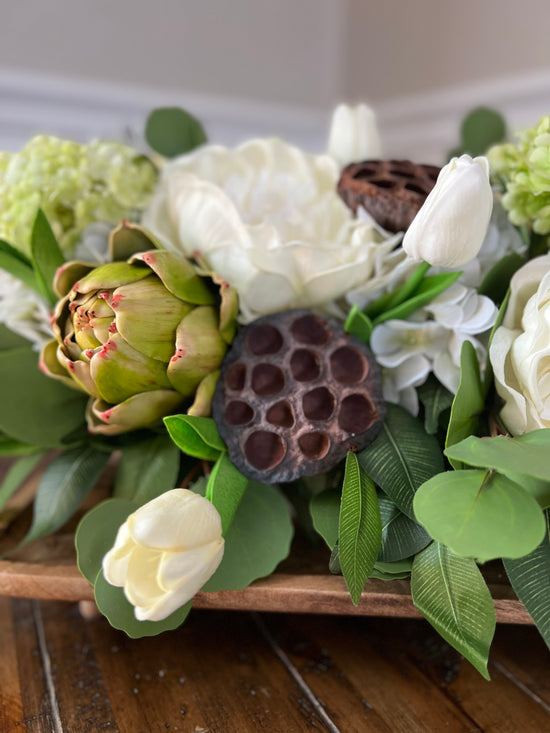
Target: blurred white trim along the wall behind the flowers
x,y
418,126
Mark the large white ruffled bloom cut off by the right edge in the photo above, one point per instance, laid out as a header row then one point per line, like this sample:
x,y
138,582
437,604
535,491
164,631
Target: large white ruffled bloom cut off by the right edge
x,y
520,350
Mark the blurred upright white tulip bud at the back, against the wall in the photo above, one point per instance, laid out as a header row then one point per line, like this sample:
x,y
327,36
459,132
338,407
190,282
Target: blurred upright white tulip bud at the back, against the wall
x,y
353,134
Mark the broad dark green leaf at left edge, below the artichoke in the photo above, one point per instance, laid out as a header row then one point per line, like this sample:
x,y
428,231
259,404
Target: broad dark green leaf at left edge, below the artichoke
x,y
36,410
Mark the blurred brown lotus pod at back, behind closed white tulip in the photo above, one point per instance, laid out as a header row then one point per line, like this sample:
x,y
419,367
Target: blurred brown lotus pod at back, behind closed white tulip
x,y
392,191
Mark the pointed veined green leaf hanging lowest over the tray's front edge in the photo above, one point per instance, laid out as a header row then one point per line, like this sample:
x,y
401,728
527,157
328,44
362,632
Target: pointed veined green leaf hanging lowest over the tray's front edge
x,y
451,594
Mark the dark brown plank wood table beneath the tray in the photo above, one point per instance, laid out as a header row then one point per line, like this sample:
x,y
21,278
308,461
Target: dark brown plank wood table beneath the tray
x,y
227,671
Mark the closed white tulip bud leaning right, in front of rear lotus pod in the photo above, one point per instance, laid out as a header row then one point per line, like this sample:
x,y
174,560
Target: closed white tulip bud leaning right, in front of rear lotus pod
x,y
451,225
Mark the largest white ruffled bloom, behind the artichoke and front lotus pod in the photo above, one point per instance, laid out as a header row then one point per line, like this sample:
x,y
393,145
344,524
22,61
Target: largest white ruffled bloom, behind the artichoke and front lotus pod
x,y
266,217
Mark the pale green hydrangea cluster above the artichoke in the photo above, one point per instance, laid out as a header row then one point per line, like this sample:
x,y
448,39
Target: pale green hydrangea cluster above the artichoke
x,y
74,185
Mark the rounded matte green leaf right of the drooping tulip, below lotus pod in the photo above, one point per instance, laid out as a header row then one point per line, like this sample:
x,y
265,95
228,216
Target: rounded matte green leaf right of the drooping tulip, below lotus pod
x,y
258,539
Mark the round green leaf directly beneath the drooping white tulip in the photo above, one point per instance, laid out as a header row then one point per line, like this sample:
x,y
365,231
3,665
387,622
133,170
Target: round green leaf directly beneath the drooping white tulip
x,y
113,604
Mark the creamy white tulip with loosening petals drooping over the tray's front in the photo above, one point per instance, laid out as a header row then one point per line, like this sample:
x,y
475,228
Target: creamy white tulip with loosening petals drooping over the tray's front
x,y
165,552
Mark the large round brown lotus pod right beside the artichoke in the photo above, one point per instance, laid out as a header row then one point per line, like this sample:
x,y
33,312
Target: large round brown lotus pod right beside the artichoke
x,y
295,394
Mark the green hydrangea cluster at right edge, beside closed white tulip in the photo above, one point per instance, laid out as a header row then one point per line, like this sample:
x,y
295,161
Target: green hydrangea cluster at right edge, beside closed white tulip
x,y
525,168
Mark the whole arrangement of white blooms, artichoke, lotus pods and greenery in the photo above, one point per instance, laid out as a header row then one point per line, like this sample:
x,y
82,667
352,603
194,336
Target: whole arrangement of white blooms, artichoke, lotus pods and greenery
x,y
263,337
